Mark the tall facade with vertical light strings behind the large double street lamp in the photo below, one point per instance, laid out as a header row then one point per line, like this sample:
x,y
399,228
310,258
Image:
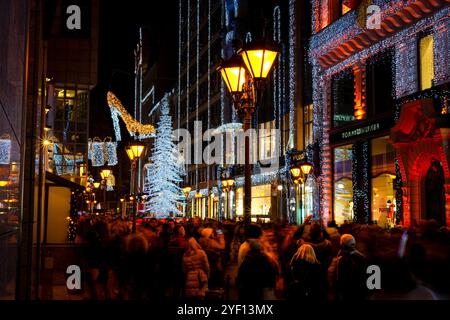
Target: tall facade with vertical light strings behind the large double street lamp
x,y
208,32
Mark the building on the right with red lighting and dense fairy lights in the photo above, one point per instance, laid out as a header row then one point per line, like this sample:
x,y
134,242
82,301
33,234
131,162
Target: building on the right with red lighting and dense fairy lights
x,y
380,86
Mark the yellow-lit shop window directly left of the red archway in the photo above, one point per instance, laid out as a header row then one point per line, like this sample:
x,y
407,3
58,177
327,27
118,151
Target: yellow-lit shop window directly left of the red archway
x,y
383,175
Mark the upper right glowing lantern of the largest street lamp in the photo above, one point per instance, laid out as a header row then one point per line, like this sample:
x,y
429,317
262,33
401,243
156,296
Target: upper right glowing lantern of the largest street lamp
x,y
259,59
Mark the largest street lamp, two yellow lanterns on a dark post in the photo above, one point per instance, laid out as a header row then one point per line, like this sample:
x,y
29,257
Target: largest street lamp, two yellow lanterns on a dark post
x,y
245,75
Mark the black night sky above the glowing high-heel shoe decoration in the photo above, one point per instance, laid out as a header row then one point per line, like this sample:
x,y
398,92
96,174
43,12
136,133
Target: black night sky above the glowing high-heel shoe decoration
x,y
119,25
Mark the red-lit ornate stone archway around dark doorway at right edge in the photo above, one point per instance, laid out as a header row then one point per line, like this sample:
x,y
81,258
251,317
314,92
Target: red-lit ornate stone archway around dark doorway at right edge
x,y
418,142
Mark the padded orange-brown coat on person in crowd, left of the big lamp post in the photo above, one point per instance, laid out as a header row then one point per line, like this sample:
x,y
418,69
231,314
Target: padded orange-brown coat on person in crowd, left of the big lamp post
x,y
196,269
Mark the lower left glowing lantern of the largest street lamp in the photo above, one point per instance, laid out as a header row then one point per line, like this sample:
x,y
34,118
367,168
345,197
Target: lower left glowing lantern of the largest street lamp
x,y
233,74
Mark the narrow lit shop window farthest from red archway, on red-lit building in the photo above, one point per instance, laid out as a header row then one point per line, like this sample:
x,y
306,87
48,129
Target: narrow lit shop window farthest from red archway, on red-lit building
x,y
343,184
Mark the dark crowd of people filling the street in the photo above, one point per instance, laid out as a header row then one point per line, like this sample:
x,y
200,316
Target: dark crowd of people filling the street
x,y
208,259
